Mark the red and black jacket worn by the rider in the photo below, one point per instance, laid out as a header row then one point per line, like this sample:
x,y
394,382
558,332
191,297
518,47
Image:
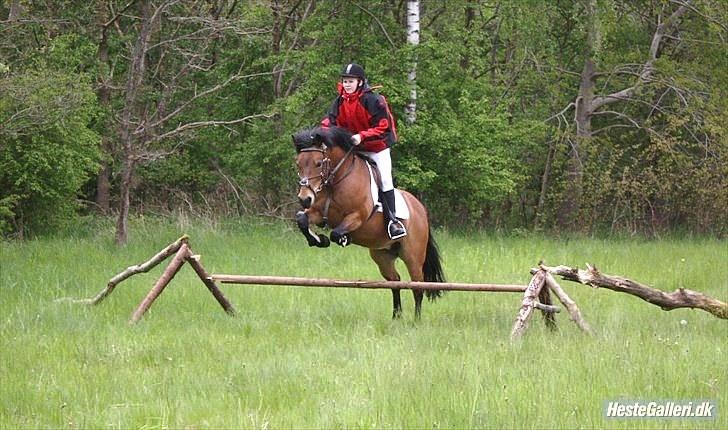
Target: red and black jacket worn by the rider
x,y
366,113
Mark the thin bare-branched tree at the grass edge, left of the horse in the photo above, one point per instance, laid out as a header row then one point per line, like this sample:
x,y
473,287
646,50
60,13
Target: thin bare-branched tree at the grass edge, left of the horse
x,y
156,98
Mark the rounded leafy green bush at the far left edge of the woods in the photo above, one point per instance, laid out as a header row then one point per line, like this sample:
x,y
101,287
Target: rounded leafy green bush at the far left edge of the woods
x,y
48,151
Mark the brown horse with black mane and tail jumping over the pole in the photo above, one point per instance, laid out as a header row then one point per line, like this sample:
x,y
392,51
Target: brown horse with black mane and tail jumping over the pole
x,y
334,189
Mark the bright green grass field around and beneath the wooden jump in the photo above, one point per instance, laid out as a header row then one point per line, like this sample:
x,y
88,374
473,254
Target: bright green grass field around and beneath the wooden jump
x,y
318,358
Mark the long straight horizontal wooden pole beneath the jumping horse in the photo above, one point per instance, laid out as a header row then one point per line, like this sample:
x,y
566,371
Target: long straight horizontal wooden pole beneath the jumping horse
x,y
339,283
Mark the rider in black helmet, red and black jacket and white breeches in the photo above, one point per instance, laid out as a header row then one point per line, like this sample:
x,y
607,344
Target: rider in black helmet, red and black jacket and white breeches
x,y
361,111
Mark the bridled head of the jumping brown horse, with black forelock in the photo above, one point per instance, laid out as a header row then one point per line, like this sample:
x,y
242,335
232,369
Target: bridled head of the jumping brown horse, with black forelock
x,y
316,151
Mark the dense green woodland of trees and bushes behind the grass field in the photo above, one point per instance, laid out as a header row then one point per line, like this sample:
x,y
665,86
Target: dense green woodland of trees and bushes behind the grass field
x,y
590,116
